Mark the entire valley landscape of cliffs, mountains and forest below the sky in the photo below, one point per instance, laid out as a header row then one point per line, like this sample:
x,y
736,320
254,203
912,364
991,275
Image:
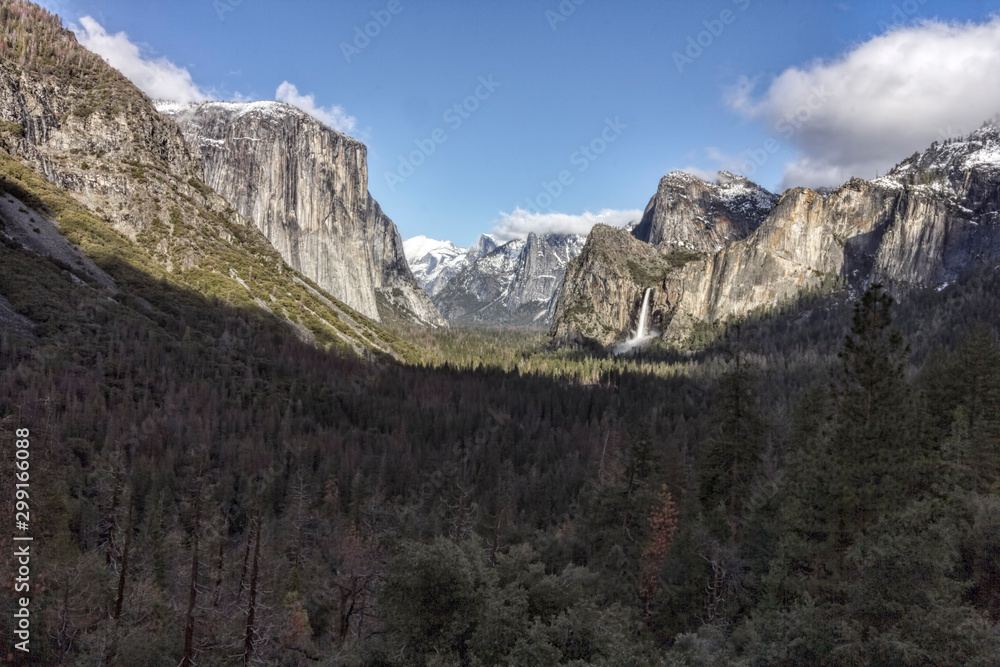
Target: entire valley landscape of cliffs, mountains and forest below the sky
x,y
744,428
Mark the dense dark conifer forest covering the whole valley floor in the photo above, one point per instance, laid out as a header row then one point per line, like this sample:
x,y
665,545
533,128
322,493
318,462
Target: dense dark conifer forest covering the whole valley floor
x,y
818,485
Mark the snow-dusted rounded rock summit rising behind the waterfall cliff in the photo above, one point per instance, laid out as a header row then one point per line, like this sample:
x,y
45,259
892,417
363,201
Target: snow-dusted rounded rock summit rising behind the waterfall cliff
x,y
691,214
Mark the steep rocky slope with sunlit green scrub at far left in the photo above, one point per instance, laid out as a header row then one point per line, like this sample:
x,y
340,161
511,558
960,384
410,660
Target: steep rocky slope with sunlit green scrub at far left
x,y
69,116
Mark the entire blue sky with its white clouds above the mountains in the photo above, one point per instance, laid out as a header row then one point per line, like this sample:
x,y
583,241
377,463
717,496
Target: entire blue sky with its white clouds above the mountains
x,y
644,86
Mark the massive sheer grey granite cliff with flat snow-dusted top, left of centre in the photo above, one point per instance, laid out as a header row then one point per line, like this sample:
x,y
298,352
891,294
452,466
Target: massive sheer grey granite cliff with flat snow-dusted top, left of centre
x,y
305,187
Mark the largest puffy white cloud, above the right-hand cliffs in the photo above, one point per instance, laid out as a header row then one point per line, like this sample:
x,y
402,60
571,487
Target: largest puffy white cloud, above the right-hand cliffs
x,y
879,102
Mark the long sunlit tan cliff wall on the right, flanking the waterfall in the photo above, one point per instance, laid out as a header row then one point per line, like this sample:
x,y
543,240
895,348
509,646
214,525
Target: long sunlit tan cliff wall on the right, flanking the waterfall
x,y
931,218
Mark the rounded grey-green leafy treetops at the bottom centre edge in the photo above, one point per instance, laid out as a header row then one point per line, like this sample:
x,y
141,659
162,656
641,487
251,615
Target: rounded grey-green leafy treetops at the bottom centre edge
x,y
442,599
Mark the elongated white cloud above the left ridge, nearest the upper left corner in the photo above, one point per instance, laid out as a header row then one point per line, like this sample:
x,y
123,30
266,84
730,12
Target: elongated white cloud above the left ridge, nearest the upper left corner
x,y
159,78
